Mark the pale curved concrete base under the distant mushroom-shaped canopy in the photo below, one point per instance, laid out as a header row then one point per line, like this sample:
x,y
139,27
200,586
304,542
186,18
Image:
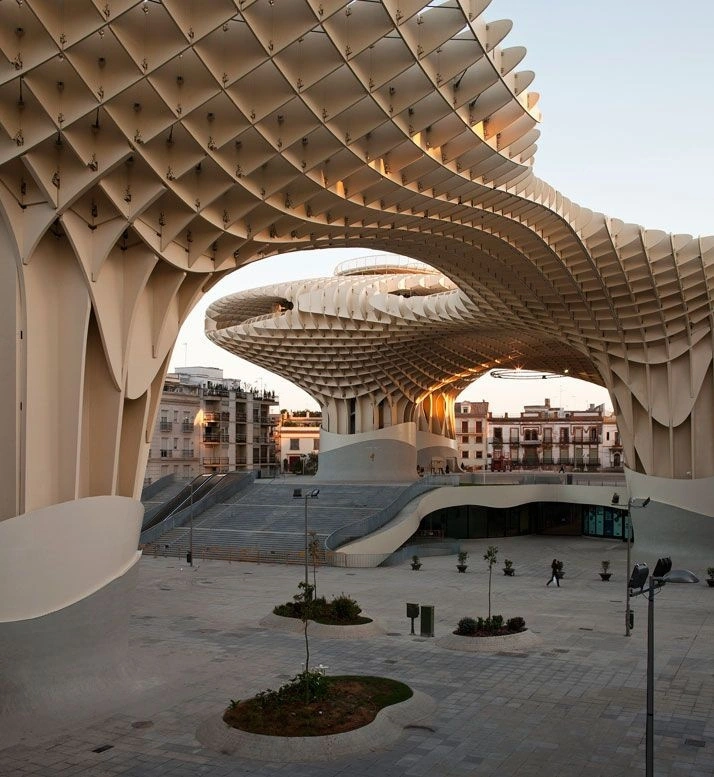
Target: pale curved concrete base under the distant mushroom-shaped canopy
x,y
384,455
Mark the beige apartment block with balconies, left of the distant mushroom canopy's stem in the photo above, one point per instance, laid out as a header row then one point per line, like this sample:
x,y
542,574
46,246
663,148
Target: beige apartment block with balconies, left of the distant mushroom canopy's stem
x,y
211,424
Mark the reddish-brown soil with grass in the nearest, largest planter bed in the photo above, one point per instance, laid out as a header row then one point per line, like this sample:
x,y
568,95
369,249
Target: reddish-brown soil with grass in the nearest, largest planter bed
x,y
349,703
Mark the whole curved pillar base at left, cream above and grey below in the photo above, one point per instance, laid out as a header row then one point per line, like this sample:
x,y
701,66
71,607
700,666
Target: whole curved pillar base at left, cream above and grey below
x,y
66,575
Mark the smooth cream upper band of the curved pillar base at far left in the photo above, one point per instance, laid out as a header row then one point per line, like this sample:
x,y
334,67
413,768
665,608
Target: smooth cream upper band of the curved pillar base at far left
x,y
52,557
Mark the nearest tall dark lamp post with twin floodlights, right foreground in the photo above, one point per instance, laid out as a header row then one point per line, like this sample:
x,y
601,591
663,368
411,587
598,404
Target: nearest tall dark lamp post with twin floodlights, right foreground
x,y
663,573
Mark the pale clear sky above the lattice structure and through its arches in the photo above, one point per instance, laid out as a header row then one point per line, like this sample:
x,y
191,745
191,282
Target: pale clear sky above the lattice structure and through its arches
x,y
627,119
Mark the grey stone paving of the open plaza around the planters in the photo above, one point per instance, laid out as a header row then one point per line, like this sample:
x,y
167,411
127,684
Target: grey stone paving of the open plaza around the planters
x,y
573,704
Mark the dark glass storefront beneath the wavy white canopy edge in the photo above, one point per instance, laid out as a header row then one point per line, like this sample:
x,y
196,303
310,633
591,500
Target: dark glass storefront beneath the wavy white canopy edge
x,y
479,522
